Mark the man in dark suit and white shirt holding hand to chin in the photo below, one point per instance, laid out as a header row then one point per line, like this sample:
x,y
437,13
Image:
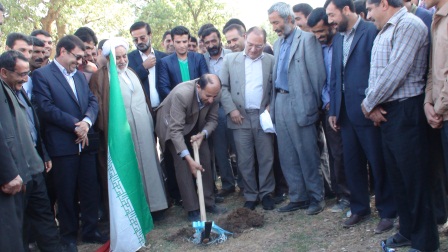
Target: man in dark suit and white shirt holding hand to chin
x,y
144,61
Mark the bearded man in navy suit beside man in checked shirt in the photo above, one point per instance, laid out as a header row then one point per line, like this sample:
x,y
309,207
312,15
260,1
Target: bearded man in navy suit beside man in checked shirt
x,y
361,140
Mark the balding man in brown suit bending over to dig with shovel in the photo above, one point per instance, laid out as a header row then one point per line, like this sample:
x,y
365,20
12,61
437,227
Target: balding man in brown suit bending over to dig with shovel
x,y
189,114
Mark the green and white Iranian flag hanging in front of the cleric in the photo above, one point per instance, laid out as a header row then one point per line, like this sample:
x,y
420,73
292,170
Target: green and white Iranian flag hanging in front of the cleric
x,y
130,218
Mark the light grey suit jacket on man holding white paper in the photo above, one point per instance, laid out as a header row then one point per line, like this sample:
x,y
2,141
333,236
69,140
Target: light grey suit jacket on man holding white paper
x,y
233,79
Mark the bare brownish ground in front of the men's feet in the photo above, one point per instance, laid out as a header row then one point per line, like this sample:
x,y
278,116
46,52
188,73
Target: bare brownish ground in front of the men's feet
x,y
294,231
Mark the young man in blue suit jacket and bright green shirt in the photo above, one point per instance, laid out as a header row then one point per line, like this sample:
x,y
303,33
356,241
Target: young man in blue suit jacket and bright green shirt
x,y
182,65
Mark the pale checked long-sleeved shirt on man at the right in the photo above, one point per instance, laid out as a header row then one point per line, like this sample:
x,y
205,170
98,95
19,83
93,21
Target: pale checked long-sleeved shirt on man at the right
x,y
399,60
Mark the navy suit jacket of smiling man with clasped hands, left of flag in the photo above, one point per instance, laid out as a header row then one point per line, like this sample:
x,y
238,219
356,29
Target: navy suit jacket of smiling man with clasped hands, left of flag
x,y
60,110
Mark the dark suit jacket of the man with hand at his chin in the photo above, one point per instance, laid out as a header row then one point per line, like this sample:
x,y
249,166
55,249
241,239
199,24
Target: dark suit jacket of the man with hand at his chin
x,y
136,63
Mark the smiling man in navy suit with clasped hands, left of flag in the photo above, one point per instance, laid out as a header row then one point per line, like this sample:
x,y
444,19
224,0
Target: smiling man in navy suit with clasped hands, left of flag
x,y
68,109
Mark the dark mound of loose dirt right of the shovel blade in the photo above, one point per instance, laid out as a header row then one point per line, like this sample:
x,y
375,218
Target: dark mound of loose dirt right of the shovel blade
x,y
241,219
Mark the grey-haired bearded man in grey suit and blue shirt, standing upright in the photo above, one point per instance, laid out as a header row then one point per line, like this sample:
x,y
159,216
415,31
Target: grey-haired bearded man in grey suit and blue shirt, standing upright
x,y
299,74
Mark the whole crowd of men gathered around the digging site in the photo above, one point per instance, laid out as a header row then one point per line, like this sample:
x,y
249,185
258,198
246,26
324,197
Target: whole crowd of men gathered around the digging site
x,y
357,92
